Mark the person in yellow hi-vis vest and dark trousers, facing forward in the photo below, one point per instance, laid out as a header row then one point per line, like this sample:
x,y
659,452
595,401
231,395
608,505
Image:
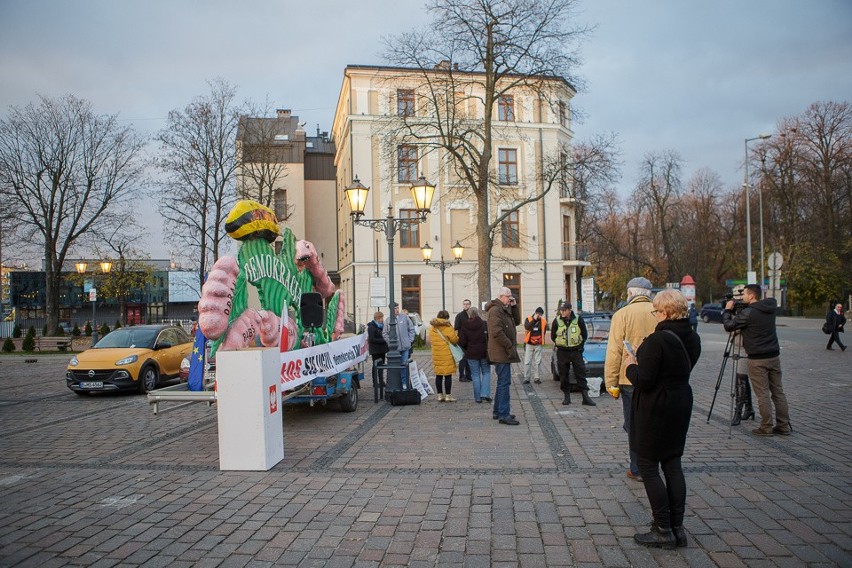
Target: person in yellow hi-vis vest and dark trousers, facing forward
x,y
569,334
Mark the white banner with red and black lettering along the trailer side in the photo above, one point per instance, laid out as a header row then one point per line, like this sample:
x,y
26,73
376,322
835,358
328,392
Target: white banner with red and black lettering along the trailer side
x,y
304,365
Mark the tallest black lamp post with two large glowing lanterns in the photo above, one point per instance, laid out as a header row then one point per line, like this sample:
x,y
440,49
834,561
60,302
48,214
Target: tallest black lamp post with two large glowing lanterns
x,y
422,191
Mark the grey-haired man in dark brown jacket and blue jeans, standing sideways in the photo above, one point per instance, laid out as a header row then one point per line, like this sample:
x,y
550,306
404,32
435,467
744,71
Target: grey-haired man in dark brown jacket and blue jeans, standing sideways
x,y
502,320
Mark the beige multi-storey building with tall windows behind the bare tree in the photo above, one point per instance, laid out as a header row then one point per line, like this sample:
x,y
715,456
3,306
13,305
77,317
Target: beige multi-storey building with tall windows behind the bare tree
x,y
535,250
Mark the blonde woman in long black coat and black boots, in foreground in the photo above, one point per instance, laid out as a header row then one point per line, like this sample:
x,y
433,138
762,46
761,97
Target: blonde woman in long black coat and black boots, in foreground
x,y
662,408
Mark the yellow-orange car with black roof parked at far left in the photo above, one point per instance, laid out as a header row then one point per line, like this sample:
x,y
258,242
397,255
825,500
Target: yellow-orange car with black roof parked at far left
x,y
129,358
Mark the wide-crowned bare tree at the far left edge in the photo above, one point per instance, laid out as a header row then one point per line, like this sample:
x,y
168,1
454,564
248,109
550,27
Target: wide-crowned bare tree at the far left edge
x,y
65,169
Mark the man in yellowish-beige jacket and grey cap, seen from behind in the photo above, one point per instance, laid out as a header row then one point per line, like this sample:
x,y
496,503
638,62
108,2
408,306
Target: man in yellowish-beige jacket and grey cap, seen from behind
x,y
634,322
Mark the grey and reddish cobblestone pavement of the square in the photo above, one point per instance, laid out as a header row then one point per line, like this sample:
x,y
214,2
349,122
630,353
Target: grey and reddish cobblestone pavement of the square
x,y
101,481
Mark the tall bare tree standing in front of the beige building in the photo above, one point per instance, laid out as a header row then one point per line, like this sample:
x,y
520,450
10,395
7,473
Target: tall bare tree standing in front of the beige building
x,y
483,50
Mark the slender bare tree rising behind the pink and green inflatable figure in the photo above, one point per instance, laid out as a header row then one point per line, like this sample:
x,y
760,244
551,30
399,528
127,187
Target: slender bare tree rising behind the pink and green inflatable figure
x,y
198,156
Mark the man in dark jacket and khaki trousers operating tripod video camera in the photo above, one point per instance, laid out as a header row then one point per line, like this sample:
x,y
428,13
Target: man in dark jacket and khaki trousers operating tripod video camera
x,y
756,323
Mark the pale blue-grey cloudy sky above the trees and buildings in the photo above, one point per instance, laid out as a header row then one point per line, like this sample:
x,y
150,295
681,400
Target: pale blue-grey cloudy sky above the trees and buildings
x,y
695,77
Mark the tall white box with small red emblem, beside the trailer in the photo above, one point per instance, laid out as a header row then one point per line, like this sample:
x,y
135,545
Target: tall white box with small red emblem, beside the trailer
x,y
248,399
